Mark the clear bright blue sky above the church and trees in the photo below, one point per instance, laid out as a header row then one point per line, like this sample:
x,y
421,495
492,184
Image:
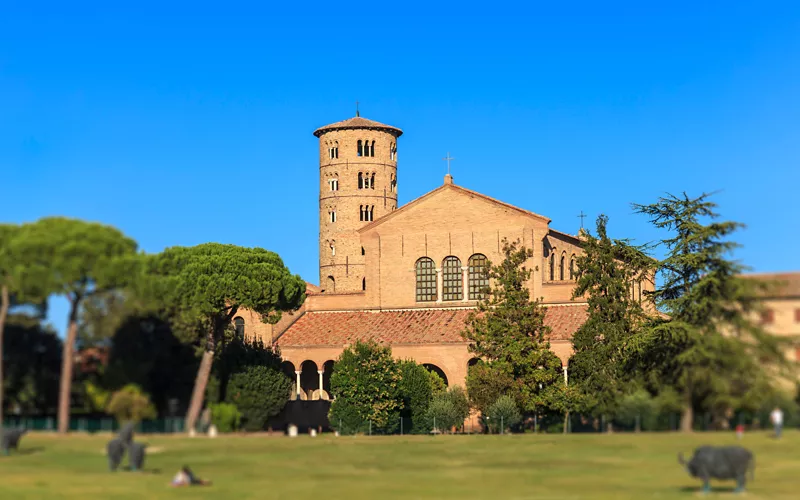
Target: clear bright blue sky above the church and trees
x,y
183,124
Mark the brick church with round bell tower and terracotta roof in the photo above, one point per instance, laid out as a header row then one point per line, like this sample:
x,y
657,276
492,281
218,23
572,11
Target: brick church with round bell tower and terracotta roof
x,y
408,276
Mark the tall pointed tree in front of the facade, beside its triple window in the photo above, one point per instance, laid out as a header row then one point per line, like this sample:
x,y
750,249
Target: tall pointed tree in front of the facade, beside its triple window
x,y
508,327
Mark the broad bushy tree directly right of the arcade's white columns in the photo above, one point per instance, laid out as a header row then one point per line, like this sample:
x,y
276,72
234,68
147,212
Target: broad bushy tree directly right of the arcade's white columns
x,y
367,387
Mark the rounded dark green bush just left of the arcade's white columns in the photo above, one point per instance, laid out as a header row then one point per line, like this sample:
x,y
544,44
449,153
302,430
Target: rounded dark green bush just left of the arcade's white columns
x,y
259,393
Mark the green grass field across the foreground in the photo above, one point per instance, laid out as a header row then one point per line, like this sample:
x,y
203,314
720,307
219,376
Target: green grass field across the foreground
x,y
326,467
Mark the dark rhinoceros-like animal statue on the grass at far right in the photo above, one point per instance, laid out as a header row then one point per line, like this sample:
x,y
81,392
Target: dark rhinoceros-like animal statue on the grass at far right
x,y
725,462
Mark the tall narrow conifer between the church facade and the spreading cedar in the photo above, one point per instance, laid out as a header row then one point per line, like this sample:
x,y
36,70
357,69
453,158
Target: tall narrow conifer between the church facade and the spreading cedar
x,y
606,271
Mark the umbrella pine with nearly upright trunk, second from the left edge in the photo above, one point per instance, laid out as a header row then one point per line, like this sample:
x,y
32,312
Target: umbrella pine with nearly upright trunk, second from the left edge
x,y
76,259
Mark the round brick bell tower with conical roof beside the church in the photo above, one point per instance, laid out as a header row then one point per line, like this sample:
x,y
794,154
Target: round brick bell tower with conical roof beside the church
x,y
357,185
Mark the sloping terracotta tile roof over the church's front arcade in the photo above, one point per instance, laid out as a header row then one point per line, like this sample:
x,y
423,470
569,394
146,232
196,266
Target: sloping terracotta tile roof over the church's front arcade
x,y
420,326
